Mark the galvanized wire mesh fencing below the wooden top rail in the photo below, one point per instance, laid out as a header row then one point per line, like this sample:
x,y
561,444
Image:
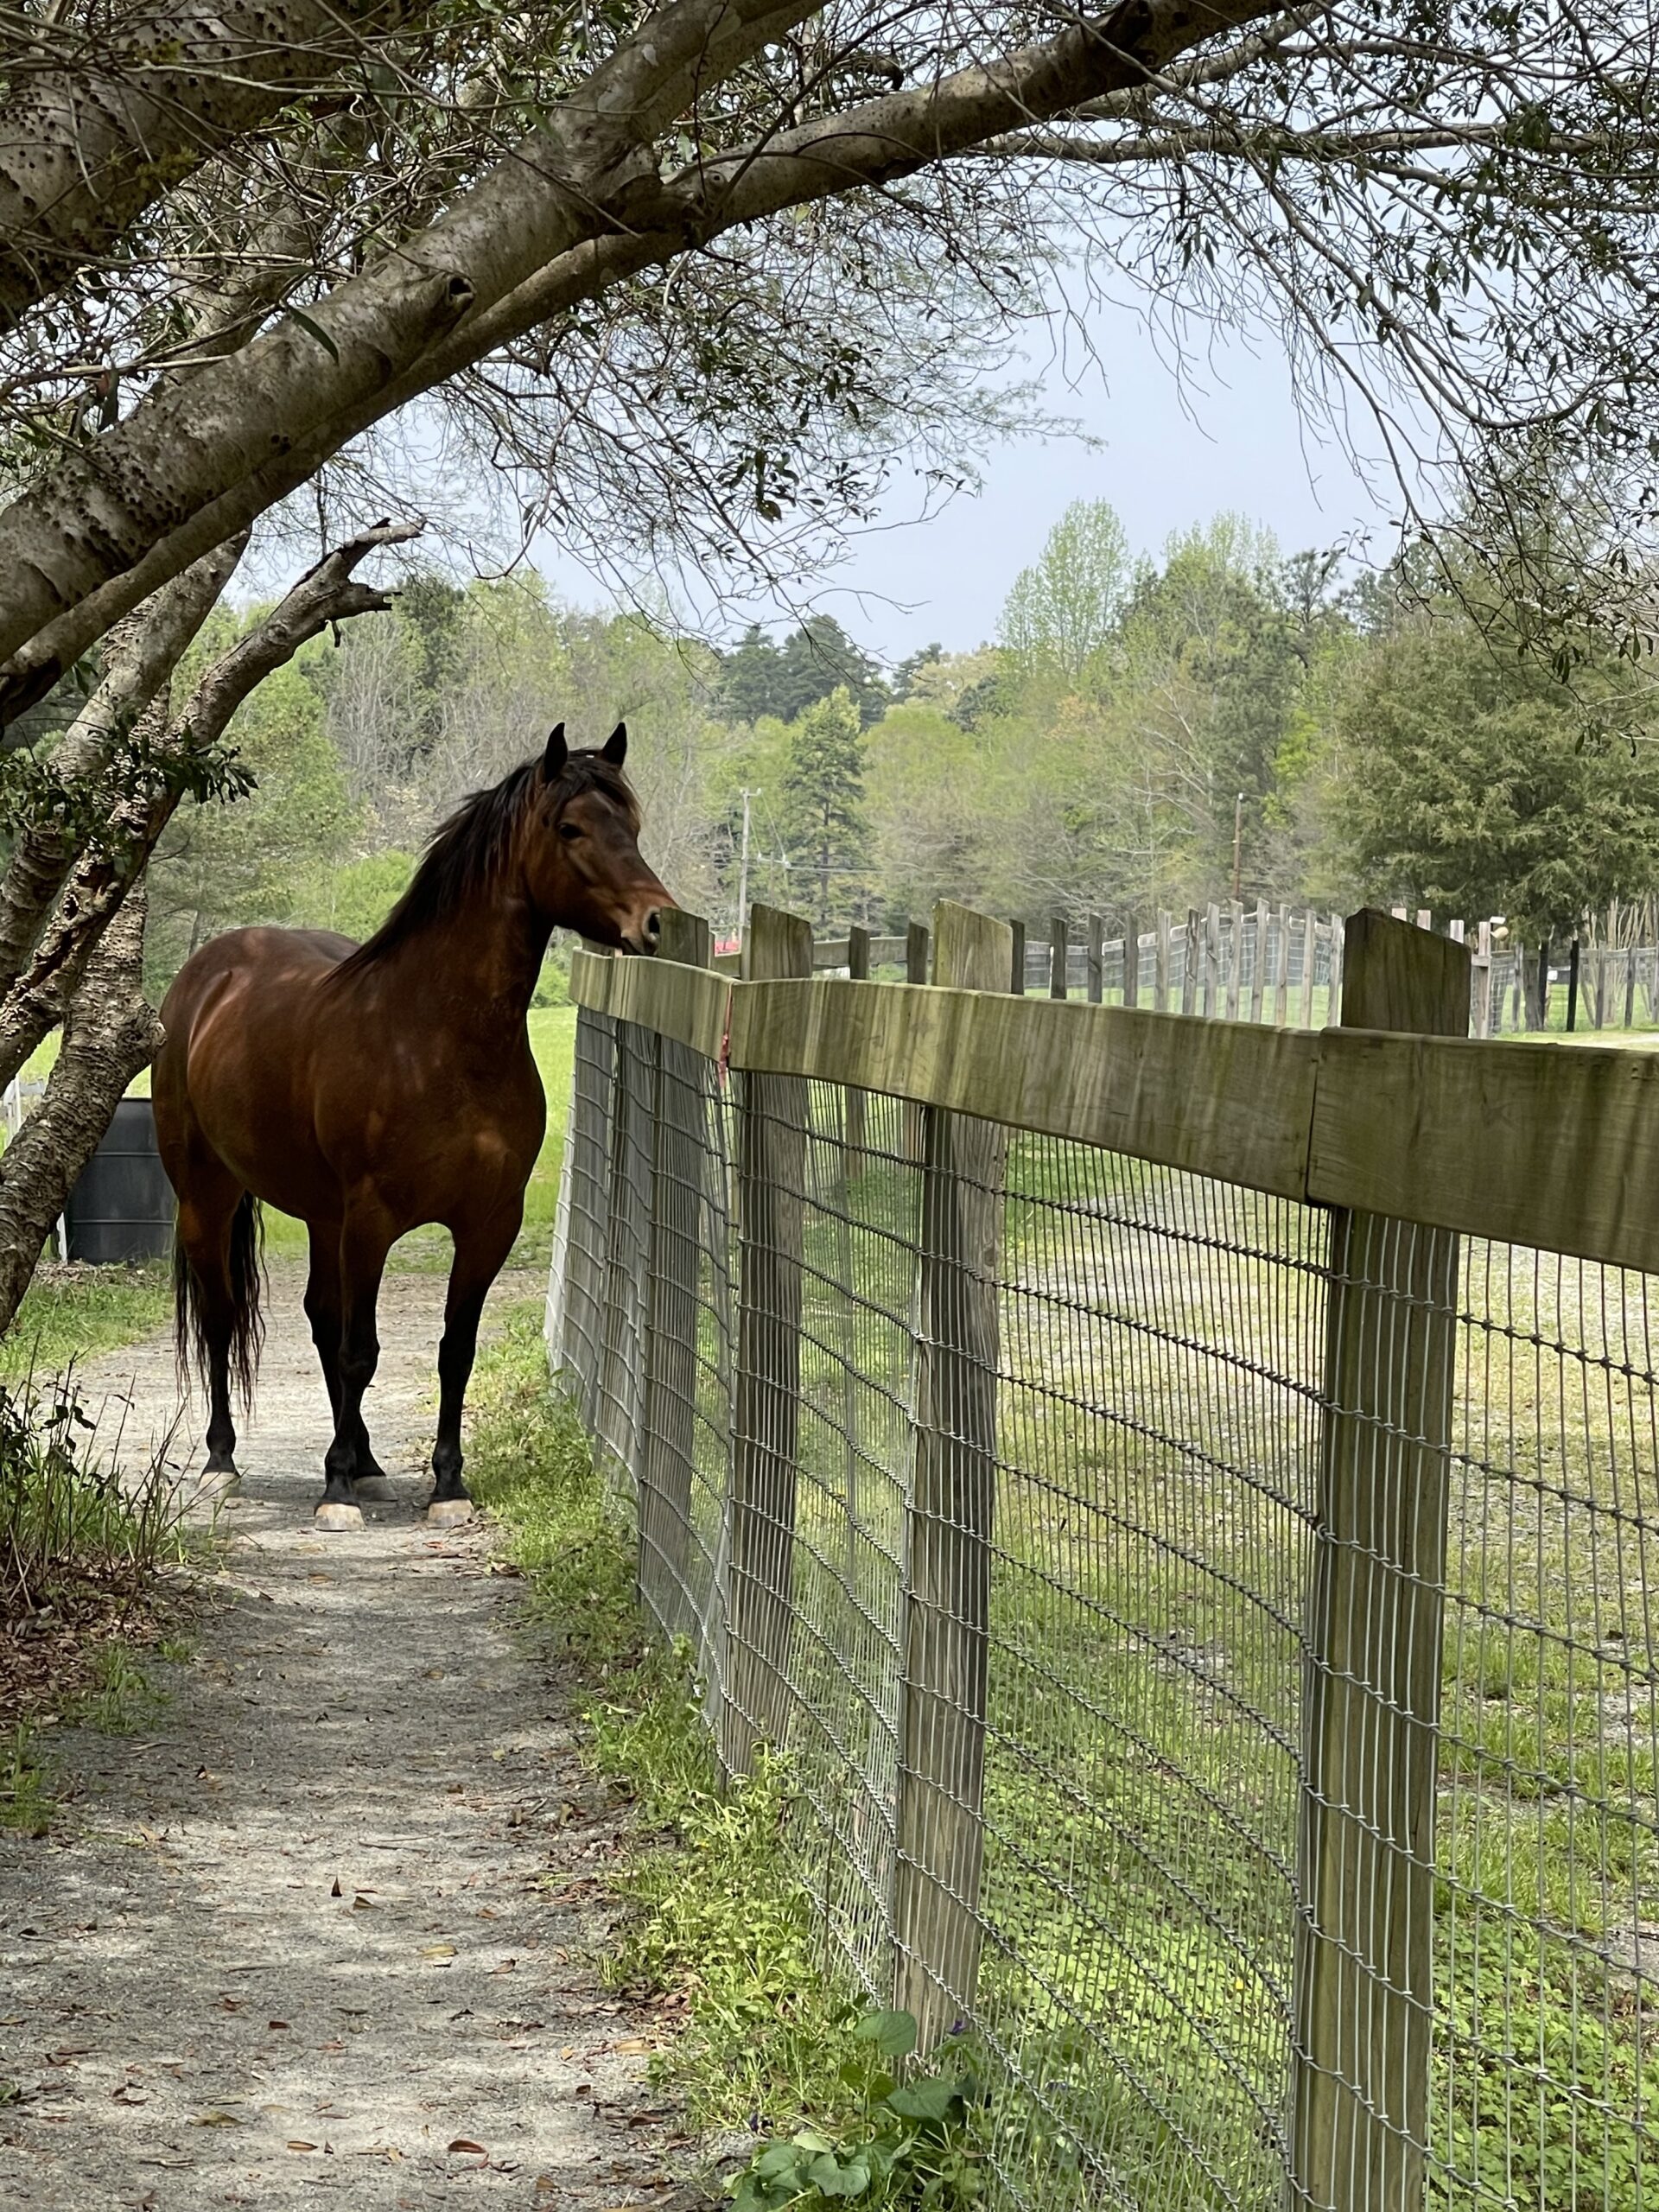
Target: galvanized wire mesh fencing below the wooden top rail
x,y
1213,1638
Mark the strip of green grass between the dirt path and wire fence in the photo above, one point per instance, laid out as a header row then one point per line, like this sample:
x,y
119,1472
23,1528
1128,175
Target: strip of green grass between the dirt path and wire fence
x,y
720,1919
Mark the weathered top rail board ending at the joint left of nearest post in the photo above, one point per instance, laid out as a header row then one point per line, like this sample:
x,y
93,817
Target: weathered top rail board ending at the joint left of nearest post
x,y
1224,1098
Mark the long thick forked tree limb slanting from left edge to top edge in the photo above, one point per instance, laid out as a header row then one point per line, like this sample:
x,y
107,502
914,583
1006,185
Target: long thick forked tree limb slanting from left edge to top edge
x,y
576,211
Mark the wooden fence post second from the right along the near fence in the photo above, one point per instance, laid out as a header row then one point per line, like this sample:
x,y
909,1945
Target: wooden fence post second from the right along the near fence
x,y
948,1536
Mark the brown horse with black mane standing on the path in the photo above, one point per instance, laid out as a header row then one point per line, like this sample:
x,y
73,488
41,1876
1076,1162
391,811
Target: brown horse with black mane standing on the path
x,y
377,1087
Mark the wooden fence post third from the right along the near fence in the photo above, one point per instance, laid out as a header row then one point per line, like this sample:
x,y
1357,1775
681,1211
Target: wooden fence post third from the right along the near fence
x,y
771,1185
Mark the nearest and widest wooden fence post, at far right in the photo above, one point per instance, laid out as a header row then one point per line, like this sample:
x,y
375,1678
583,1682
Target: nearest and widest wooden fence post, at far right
x,y
1364,1999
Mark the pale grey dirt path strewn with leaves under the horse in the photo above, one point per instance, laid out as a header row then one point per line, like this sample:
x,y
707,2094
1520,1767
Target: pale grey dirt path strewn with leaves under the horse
x,y
328,1921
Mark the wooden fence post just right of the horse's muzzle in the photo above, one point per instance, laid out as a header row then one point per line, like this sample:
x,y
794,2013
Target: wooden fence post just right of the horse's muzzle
x,y
667,1463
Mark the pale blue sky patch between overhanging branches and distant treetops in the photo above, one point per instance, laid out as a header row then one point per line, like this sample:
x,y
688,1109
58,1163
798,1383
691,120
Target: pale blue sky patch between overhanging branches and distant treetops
x,y
1165,455
